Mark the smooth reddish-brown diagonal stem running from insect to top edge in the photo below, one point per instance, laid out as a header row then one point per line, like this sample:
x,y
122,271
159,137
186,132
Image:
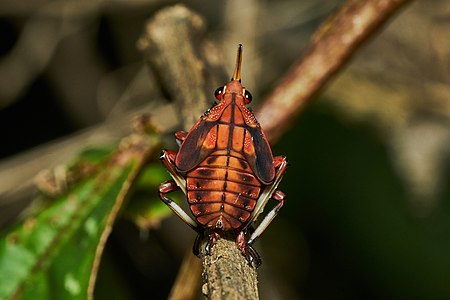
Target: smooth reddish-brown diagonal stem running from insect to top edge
x,y
330,49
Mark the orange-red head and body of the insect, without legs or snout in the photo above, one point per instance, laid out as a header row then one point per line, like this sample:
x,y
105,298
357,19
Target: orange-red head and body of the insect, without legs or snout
x,y
222,188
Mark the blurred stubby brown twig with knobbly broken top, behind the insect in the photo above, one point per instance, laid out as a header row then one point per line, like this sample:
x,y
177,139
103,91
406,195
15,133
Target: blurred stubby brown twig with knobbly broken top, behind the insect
x,y
168,42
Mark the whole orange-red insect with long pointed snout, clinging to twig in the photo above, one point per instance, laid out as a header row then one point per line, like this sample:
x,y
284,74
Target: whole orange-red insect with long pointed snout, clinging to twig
x,y
226,168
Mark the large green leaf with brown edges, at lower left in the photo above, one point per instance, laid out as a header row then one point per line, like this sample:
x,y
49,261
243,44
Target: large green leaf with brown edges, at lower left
x,y
55,254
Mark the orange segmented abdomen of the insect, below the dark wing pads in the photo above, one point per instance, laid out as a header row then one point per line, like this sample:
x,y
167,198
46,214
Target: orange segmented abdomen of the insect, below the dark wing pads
x,y
222,190
